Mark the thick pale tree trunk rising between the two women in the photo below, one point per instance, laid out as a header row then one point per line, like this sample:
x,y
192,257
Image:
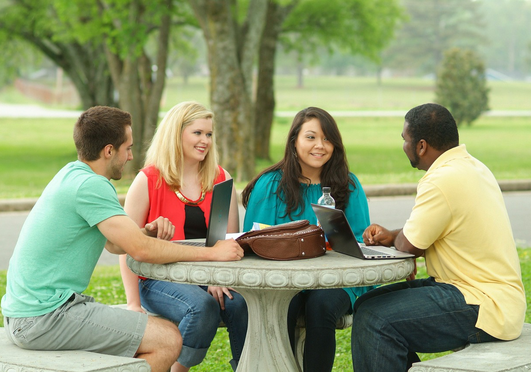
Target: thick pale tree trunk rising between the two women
x,y
232,33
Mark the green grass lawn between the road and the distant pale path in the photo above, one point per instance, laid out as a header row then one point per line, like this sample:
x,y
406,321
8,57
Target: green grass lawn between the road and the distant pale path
x,y
33,150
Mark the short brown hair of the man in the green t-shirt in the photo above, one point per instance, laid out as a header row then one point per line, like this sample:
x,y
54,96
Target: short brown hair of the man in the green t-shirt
x,y
98,127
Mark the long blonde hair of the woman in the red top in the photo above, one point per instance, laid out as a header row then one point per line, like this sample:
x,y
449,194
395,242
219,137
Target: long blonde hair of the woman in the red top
x,y
166,151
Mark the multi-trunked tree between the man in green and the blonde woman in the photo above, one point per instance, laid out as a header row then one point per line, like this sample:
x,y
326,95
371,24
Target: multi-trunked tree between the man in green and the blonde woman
x,y
127,27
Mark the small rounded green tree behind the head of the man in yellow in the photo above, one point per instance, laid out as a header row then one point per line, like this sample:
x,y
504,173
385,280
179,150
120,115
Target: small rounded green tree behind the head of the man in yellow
x,y
462,85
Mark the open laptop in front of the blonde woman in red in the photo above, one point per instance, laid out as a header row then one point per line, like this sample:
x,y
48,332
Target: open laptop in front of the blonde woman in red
x,y
219,216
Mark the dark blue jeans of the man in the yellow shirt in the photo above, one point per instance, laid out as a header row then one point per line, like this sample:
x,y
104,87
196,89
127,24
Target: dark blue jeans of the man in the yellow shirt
x,y
393,322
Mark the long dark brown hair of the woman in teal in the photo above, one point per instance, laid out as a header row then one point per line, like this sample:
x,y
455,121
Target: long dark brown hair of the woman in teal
x,y
335,173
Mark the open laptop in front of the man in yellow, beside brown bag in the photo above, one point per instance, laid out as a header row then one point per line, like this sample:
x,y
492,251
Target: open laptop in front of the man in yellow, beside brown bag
x,y
342,239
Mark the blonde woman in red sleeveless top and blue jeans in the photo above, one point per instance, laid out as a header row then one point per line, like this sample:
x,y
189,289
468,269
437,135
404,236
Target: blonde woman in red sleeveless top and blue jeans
x,y
176,182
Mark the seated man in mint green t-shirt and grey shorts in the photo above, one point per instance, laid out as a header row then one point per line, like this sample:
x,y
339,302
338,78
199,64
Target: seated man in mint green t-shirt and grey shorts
x,y
77,215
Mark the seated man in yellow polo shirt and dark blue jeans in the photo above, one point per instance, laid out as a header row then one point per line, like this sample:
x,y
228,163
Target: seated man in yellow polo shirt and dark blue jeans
x,y
459,223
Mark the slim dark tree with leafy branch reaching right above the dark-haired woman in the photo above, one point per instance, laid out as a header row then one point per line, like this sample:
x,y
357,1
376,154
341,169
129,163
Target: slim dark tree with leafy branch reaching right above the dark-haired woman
x,y
304,26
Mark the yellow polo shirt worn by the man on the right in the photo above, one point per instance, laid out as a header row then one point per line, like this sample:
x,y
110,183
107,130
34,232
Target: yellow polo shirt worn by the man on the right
x,y
460,219
